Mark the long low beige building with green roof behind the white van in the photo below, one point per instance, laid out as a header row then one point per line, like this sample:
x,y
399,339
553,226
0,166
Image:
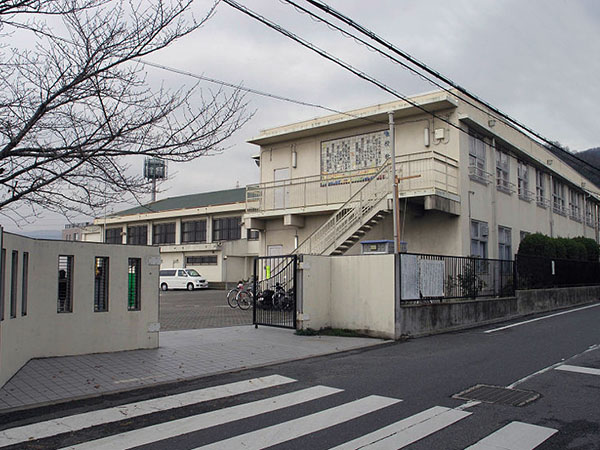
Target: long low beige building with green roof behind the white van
x,y
203,231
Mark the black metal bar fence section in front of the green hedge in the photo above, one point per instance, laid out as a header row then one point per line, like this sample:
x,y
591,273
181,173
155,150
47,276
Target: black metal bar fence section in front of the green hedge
x,y
538,272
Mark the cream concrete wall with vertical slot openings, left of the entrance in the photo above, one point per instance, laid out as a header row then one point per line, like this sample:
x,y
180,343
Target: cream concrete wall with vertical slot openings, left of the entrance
x,y
43,332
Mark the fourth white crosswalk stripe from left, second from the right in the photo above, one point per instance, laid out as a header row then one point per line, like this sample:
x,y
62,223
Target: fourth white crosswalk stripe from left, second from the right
x,y
407,431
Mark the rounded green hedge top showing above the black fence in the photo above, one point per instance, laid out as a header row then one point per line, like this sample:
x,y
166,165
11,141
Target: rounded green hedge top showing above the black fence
x,y
578,249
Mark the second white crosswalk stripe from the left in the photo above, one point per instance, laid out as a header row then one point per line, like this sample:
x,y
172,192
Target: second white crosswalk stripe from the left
x,y
166,430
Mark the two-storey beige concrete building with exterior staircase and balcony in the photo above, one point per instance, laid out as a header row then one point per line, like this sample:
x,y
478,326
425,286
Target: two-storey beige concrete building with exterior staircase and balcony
x,y
469,184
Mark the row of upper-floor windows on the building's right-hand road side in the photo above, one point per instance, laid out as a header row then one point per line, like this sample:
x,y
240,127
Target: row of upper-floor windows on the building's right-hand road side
x,y
559,199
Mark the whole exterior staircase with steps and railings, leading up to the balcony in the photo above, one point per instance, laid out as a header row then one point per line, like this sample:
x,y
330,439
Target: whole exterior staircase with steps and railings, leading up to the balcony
x,y
367,207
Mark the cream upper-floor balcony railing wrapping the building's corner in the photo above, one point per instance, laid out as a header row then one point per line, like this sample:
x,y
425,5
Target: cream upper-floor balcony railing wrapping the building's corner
x,y
420,173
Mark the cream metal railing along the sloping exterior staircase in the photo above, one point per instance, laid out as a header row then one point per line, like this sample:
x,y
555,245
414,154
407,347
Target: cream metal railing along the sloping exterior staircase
x,y
352,214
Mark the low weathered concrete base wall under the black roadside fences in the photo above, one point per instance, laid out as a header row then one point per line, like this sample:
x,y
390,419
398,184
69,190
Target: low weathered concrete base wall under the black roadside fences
x,y
422,320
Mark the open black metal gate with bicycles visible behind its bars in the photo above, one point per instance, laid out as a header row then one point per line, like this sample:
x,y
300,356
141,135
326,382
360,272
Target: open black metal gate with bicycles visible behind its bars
x,y
275,291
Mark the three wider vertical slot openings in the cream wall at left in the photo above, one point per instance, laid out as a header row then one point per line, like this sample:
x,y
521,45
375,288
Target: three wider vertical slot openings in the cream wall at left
x,y
101,283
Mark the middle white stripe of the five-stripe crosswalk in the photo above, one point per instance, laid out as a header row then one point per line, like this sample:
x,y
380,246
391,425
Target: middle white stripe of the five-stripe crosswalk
x,y
302,426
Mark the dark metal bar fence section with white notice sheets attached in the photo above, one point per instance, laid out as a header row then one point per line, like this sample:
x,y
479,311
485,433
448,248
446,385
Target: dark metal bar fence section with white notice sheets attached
x,y
439,277
